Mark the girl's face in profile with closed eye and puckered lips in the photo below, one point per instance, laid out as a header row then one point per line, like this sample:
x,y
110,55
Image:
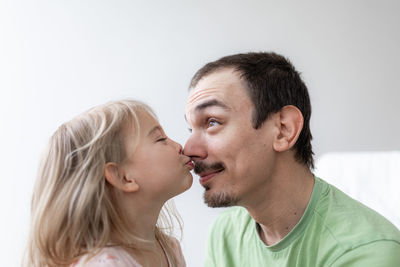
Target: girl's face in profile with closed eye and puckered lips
x,y
157,165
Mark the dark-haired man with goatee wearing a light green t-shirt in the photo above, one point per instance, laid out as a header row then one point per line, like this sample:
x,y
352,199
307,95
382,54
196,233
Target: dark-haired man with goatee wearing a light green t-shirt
x,y
251,144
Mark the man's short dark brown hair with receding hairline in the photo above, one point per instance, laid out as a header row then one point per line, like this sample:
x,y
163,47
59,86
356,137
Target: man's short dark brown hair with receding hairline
x,y
272,83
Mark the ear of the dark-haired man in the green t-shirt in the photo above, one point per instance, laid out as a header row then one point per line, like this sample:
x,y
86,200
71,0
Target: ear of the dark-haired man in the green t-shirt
x,y
289,122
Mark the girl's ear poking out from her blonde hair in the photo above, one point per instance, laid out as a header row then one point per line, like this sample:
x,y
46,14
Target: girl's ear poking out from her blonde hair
x,y
119,179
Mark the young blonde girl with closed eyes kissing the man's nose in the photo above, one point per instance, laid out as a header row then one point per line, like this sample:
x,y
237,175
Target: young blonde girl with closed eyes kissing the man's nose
x,y
102,182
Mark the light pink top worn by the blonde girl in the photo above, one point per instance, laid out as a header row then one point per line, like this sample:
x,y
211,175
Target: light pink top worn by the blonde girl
x,y
118,257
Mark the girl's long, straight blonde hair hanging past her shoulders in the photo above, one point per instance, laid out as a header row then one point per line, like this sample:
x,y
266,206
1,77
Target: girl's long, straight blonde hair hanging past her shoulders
x,y
73,209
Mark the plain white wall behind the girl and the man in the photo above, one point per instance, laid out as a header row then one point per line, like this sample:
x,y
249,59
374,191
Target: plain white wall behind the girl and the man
x,y
58,58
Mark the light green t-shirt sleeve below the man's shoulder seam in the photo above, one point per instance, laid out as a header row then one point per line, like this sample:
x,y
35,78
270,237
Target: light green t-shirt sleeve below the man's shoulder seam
x,y
385,253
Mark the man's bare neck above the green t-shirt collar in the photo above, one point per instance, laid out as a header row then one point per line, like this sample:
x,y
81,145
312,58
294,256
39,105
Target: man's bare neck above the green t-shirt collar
x,y
283,203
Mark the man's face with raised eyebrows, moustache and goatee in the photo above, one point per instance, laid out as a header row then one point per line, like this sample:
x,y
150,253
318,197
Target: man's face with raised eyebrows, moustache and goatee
x,y
232,158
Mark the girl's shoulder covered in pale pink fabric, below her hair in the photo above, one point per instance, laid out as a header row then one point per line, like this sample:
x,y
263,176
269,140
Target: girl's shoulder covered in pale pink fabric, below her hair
x,y
108,257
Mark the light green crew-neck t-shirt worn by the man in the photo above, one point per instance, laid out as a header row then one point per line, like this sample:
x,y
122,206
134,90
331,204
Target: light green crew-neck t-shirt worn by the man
x,y
335,230
